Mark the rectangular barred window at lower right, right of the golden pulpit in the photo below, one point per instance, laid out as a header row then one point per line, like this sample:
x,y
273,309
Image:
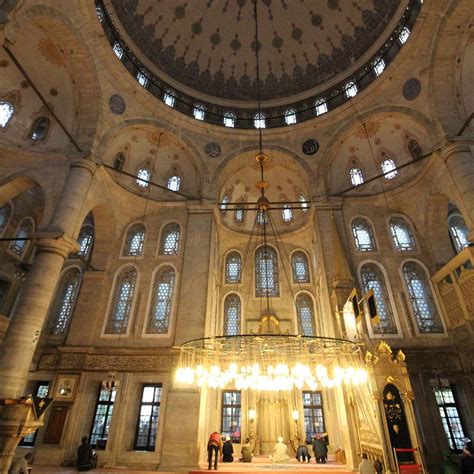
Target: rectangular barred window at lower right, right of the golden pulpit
x,y
450,417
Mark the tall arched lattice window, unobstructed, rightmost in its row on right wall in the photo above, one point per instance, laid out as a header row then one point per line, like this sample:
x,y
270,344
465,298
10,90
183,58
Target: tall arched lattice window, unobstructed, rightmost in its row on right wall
x,y
421,298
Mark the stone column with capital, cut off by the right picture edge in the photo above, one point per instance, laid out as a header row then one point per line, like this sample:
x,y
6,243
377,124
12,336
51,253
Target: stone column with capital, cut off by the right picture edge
x,y
460,163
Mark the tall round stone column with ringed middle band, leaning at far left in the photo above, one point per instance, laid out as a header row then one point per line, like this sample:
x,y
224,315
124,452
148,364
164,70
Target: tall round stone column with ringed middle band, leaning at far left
x,y
52,248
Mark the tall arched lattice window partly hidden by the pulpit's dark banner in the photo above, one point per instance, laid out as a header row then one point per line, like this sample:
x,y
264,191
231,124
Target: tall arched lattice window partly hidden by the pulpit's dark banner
x,y
372,278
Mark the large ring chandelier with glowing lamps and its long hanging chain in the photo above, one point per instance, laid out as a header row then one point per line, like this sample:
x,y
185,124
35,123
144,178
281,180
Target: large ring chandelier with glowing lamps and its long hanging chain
x,y
269,359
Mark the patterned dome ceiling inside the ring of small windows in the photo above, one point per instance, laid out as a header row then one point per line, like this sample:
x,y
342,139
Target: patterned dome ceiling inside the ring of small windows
x,y
208,46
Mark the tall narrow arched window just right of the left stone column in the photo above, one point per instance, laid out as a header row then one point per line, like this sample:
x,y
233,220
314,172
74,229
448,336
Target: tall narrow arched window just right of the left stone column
x,y
64,302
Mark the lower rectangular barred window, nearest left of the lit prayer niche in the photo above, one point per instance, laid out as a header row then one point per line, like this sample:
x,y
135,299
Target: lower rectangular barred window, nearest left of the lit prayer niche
x,y
149,413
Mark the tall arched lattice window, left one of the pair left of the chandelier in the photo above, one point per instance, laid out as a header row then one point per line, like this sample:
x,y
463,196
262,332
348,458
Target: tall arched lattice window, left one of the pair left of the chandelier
x,y
122,301
